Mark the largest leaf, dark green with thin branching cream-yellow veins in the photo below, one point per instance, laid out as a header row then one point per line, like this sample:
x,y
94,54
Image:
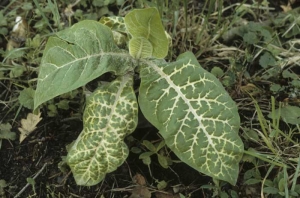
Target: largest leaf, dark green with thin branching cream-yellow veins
x,y
195,115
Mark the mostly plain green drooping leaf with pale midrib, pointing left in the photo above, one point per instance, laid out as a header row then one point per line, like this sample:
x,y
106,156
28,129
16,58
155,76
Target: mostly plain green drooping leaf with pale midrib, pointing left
x,y
78,55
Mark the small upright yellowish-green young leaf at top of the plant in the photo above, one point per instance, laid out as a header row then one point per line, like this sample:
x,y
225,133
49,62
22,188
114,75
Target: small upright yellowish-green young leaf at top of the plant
x,y
146,23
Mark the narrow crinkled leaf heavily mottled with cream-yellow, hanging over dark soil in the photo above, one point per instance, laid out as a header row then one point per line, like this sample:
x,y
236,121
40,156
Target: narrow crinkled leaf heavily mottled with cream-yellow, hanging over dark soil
x,y
110,114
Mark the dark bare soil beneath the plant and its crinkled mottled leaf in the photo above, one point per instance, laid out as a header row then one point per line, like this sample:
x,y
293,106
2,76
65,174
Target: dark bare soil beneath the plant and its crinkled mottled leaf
x,y
42,151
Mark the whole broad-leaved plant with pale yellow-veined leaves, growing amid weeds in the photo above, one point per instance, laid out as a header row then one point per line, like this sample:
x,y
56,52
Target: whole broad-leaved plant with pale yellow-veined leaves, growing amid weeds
x,y
188,105
